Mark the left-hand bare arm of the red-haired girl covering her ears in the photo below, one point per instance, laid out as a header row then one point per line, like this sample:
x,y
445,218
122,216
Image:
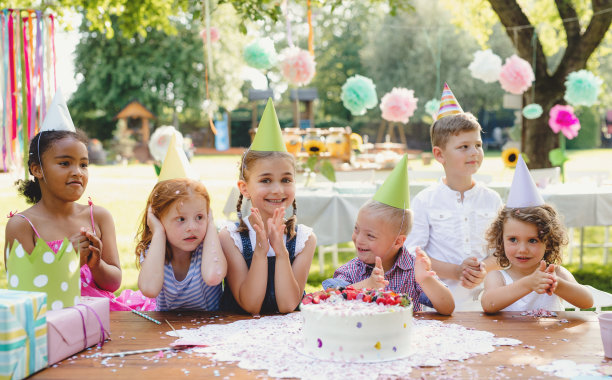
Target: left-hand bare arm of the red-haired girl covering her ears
x,y
151,276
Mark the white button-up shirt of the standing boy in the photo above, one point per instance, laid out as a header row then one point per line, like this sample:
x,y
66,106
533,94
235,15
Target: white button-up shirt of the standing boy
x,y
451,230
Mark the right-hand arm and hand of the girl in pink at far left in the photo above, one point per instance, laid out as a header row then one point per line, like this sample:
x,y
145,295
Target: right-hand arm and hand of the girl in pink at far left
x,y
103,259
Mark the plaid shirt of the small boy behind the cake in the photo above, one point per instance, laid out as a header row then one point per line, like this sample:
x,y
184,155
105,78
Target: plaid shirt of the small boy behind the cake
x,y
400,276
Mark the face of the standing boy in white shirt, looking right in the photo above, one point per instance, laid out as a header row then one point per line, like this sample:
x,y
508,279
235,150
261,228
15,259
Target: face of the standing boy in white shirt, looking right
x,y
462,155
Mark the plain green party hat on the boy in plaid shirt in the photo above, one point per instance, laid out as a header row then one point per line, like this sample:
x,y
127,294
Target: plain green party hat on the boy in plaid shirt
x,y
395,191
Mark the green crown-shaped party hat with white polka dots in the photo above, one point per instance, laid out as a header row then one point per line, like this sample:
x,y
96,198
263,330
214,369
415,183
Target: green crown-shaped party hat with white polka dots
x,y
56,274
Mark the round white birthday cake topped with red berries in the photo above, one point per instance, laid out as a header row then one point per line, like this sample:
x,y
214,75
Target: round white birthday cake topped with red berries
x,y
356,325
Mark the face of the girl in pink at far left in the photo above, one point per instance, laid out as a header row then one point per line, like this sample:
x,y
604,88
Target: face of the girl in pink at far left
x,y
65,168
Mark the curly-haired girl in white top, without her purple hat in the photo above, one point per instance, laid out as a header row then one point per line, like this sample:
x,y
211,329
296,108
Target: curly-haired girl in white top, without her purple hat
x,y
527,243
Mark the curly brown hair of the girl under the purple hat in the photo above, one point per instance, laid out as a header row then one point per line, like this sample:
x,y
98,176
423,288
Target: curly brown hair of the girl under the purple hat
x,y
551,231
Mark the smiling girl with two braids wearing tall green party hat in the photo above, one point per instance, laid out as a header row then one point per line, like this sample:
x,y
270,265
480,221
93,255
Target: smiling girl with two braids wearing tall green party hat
x,y
268,257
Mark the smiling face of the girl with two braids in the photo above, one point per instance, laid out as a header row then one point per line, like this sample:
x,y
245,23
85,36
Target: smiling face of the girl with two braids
x,y
271,184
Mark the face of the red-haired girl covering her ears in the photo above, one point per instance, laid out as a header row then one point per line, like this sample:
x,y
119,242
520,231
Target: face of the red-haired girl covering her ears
x,y
185,223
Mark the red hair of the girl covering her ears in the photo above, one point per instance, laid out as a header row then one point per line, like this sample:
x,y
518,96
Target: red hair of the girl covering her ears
x,y
162,197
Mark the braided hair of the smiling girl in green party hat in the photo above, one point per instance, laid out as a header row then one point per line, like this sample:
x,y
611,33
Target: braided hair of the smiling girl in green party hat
x,y
246,163
